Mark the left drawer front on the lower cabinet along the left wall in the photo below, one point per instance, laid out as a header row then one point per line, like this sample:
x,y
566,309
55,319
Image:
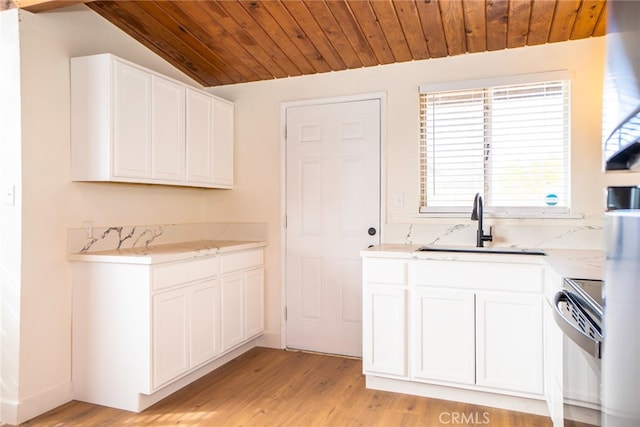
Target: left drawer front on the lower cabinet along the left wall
x,y
173,274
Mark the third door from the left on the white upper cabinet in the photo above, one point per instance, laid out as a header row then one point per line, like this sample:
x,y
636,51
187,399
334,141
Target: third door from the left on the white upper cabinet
x,y
199,125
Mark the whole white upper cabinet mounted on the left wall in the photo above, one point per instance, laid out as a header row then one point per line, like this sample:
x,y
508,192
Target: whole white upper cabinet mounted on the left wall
x,y
130,124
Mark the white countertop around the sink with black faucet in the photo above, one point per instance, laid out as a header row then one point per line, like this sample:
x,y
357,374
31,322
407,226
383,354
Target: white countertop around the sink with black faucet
x,y
575,263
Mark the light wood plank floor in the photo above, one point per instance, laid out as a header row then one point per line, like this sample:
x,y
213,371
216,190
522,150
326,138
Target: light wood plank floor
x,y
267,387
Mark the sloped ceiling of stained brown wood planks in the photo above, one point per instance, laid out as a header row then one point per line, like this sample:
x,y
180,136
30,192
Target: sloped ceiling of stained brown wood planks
x,y
235,41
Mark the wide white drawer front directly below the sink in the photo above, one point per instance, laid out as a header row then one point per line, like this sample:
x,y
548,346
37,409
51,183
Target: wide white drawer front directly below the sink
x,y
476,275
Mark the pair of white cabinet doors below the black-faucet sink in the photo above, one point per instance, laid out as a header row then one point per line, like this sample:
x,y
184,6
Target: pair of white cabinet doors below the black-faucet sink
x,y
488,339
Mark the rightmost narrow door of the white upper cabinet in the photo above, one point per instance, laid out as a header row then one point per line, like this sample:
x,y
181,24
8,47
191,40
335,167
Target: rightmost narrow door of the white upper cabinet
x,y
223,133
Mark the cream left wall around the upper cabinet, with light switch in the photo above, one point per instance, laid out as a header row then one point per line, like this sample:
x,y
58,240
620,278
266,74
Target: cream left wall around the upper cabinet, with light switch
x,y
37,327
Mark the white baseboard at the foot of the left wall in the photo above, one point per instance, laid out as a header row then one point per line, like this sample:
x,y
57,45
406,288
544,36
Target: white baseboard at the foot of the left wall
x,y
14,413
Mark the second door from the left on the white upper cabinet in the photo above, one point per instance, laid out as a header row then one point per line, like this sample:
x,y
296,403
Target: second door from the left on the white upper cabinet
x,y
168,131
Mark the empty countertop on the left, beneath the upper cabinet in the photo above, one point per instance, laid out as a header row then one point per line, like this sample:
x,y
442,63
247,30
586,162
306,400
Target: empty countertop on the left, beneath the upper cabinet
x,y
165,253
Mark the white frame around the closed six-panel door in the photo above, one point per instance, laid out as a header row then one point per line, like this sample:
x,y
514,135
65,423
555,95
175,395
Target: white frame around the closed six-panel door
x,y
380,96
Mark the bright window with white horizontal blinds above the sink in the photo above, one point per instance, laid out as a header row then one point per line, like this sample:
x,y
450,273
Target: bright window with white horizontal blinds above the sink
x,y
508,142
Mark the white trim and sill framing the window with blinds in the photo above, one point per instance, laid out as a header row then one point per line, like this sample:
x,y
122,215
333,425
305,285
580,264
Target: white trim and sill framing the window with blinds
x,y
511,212
